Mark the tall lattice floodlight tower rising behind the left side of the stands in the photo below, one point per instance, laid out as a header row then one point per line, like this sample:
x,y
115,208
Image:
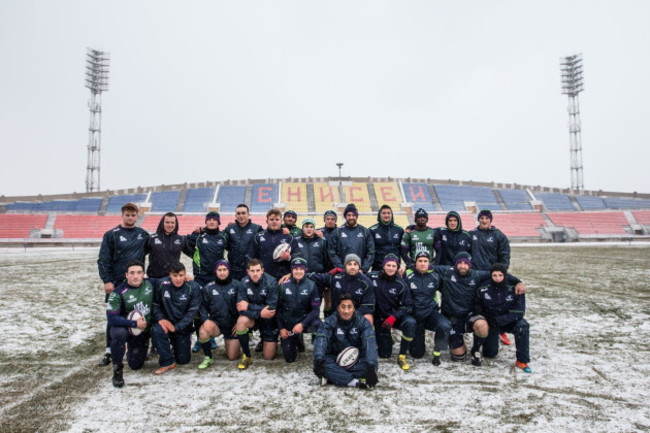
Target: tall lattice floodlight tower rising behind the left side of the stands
x,y
97,67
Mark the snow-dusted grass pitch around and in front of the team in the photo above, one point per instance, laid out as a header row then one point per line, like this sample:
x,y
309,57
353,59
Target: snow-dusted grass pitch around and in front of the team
x,y
588,307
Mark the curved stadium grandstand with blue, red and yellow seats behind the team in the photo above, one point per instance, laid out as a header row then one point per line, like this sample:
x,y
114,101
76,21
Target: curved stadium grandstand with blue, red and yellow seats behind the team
x,y
523,213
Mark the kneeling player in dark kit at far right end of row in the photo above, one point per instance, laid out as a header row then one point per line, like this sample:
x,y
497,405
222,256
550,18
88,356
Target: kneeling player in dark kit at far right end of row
x,y
503,310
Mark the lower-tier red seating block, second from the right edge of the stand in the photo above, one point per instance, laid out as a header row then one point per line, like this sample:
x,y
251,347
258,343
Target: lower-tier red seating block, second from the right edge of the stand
x,y
591,223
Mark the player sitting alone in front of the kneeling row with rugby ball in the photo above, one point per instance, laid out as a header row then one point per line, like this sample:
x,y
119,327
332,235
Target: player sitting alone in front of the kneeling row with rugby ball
x,y
346,327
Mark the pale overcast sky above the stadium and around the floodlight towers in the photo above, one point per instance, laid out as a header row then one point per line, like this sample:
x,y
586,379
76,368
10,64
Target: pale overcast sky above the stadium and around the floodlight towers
x,y
213,90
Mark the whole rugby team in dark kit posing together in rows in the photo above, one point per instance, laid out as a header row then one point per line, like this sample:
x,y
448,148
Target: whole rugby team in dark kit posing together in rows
x,y
343,285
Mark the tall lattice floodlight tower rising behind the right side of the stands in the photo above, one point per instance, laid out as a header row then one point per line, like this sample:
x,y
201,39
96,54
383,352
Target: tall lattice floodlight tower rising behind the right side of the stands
x,y
572,85
